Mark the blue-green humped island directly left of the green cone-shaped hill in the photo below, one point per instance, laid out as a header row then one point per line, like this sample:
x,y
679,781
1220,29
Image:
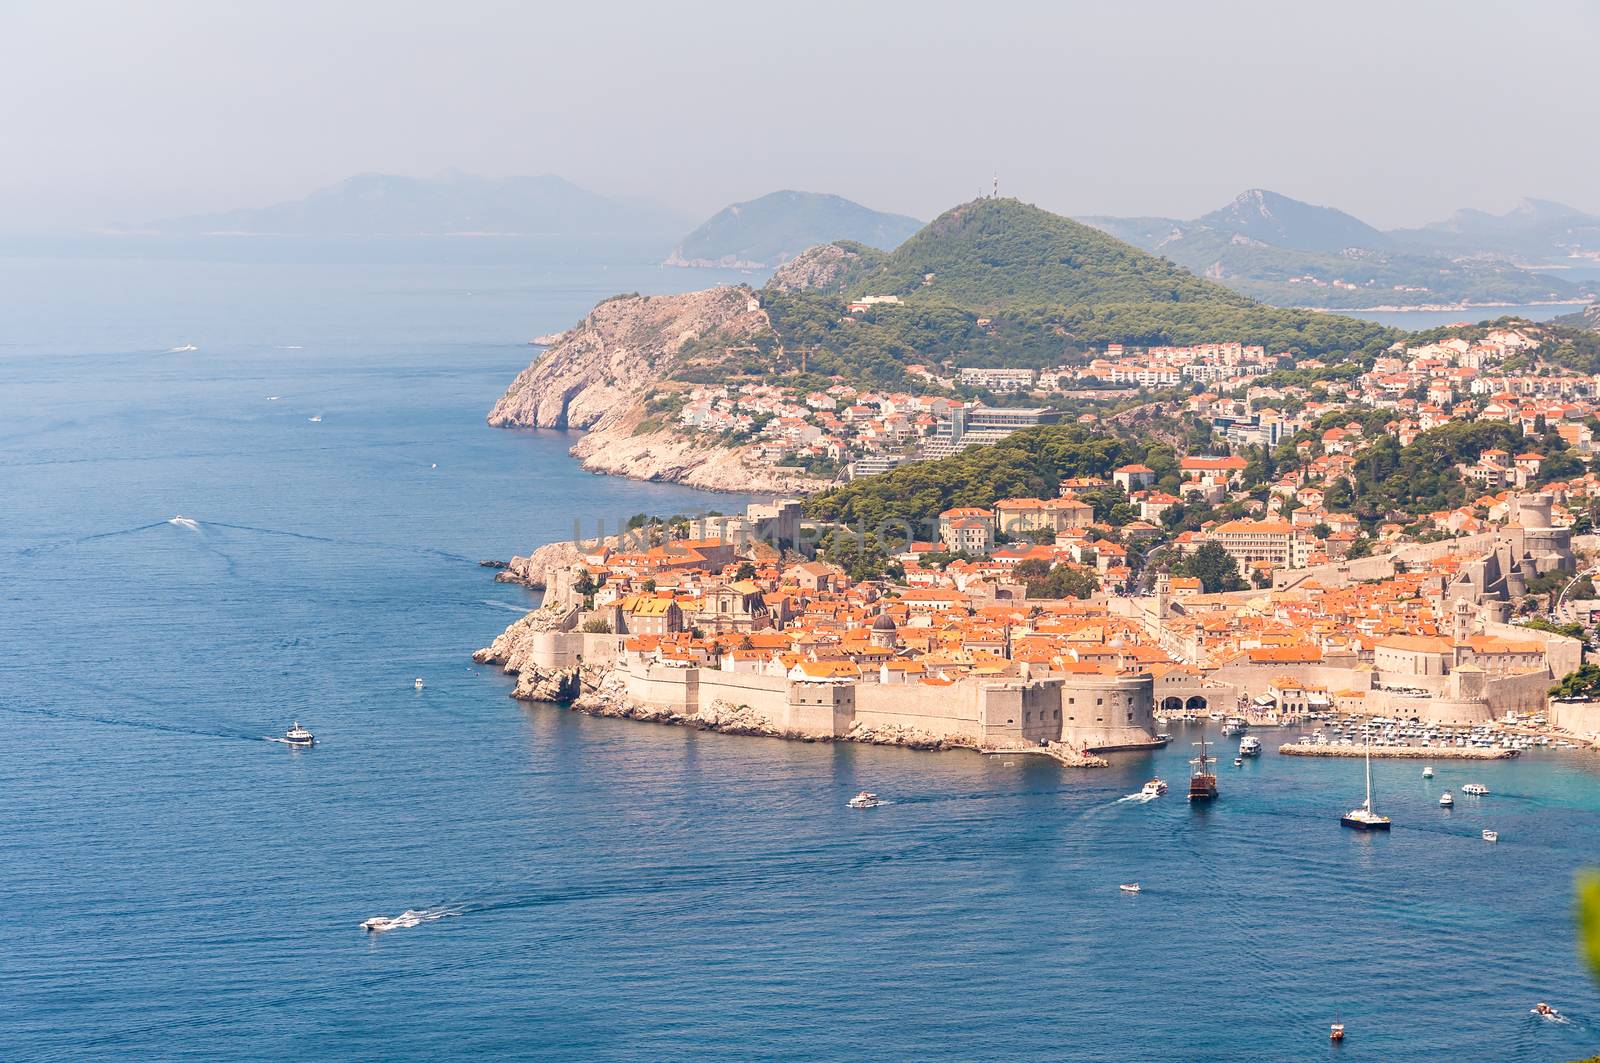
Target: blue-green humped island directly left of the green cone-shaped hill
x,y
775,228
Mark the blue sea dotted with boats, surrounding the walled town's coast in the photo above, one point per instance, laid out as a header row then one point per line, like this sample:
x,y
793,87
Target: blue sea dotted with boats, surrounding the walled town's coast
x,y
252,486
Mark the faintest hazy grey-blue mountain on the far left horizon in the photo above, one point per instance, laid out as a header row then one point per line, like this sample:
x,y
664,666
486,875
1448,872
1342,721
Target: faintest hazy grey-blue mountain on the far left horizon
x,y
378,204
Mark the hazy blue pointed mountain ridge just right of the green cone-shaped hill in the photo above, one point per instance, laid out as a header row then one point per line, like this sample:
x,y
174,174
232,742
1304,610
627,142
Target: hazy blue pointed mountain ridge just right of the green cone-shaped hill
x,y
1292,254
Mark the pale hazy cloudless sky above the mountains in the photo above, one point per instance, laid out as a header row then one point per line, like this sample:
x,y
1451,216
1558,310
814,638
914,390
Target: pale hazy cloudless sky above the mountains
x,y
1398,111
